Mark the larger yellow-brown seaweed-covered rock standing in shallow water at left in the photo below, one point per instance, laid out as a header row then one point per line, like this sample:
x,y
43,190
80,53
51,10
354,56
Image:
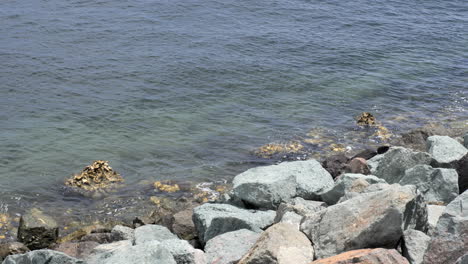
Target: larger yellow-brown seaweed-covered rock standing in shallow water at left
x,y
96,176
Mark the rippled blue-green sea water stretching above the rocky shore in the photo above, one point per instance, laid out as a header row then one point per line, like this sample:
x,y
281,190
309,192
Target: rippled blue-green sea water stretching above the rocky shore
x,y
186,89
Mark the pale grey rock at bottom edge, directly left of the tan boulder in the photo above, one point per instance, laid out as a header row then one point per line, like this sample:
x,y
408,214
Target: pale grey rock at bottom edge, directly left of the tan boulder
x,y
229,247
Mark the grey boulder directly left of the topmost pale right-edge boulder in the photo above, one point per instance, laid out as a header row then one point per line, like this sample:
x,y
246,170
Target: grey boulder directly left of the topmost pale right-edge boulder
x,y
392,165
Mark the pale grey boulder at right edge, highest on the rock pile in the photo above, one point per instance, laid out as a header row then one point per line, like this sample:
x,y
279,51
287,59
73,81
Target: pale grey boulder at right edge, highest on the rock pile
x,y
445,149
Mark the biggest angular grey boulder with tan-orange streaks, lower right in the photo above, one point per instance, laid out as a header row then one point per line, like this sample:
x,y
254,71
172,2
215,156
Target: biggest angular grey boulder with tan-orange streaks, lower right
x,y
375,219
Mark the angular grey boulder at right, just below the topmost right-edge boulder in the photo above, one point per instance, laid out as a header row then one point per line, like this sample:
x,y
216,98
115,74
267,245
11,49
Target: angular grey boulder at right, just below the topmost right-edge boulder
x,y
437,185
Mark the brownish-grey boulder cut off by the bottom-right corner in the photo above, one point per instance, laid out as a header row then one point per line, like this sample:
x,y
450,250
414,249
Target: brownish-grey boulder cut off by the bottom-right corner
x,y
450,239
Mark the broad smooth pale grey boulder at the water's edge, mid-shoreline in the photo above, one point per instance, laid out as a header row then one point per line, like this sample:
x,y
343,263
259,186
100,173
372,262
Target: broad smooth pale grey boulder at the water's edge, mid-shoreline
x,y
267,187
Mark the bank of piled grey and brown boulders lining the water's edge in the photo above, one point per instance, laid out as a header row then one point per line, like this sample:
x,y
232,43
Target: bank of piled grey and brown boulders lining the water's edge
x,y
401,203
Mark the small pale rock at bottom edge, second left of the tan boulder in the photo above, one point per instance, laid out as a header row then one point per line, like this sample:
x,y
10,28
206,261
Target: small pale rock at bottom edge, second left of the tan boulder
x,y
181,250
